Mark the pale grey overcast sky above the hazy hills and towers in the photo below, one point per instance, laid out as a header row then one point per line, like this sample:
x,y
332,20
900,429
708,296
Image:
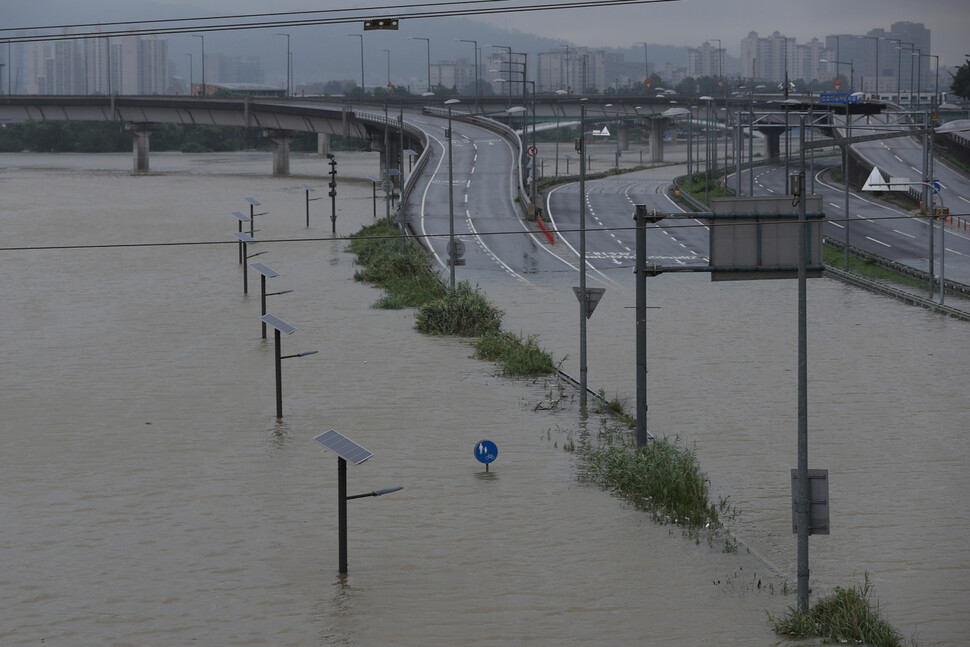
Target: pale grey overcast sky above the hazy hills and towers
x,y
683,22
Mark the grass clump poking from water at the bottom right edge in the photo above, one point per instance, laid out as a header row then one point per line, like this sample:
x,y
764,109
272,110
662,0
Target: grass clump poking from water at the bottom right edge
x,y
844,616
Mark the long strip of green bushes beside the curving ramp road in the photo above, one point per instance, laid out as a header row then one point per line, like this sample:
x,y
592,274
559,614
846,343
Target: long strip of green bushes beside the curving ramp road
x,y
403,271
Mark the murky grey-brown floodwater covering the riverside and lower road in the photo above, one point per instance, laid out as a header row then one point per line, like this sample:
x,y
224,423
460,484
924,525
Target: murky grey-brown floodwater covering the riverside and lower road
x,y
152,498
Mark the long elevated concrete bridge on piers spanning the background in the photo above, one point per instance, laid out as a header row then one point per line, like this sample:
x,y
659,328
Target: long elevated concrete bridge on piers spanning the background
x,y
280,120
